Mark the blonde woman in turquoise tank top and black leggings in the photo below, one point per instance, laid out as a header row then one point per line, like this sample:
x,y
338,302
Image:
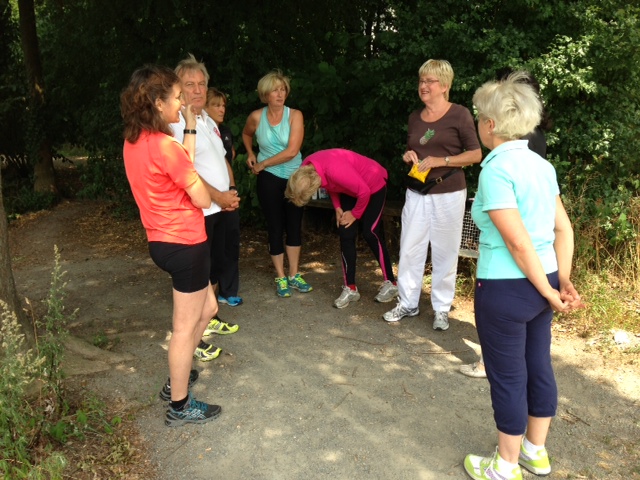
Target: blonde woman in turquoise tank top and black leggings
x,y
279,131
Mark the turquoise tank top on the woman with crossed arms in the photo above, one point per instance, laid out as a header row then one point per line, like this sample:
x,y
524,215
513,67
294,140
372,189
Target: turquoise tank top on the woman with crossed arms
x,y
273,140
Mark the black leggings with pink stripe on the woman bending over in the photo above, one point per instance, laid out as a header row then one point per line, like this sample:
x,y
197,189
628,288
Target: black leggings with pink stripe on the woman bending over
x,y
372,232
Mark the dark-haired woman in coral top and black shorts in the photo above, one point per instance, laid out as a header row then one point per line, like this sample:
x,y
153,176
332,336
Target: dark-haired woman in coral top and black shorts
x,y
170,196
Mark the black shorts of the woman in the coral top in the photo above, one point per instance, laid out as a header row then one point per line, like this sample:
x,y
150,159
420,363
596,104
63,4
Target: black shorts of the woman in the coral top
x,y
188,265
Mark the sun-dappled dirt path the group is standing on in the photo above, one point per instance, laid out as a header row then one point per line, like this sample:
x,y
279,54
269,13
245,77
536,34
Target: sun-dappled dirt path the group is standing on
x,y
308,391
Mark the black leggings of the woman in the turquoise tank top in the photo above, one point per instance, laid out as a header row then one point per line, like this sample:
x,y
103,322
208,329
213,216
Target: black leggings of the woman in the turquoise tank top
x,y
282,216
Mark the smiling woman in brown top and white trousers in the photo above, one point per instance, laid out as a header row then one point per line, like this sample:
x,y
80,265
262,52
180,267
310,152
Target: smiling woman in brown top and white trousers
x,y
441,140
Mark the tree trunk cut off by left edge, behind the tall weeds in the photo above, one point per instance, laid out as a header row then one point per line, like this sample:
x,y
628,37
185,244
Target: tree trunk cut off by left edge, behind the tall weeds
x,y
8,292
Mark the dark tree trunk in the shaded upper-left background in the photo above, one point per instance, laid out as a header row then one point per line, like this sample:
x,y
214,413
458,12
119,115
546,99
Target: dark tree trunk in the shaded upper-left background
x,y
39,143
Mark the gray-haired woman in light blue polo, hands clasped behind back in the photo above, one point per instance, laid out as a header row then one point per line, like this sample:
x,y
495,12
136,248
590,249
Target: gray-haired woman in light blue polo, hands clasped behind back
x,y
526,249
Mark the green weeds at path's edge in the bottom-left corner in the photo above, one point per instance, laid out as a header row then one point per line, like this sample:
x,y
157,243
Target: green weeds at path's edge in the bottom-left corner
x,y
35,417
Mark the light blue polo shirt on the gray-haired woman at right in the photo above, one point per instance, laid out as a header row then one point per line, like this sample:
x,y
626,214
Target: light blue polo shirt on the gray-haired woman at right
x,y
513,176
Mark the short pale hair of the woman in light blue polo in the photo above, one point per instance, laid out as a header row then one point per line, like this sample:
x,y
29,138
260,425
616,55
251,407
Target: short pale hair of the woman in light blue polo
x,y
511,103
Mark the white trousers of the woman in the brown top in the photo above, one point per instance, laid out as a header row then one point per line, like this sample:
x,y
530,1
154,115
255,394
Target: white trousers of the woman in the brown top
x,y
435,219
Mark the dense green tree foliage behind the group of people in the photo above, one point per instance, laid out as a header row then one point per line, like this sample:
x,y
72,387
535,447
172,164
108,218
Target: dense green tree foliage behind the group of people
x,y
353,67
